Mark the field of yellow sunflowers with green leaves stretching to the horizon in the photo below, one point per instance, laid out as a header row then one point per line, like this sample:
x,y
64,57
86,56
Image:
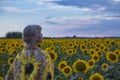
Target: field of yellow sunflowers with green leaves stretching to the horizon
x,y
74,59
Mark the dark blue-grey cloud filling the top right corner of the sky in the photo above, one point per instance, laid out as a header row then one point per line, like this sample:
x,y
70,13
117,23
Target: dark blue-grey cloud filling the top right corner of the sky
x,y
111,6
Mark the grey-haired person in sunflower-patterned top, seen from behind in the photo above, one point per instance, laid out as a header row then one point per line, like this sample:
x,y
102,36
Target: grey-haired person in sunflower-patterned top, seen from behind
x,y
31,63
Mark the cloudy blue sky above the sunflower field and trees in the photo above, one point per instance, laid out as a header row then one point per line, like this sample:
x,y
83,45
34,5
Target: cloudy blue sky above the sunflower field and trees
x,y
61,18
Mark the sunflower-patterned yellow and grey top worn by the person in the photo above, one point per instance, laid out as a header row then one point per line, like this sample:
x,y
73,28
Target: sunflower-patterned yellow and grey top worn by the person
x,y
32,64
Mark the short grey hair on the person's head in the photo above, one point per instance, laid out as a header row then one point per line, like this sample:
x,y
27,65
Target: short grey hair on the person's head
x,y
30,31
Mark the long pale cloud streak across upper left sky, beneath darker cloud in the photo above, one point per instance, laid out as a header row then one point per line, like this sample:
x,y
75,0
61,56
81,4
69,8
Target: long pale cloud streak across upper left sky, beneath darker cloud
x,y
43,7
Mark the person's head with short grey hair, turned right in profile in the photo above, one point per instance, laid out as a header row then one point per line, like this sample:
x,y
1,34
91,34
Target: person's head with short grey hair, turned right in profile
x,y
32,33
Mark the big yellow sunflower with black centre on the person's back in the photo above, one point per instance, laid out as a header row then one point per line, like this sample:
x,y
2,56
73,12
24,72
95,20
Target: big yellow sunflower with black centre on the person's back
x,y
29,69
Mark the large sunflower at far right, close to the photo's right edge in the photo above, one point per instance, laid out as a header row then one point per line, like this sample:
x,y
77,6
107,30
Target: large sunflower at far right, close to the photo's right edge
x,y
113,58
